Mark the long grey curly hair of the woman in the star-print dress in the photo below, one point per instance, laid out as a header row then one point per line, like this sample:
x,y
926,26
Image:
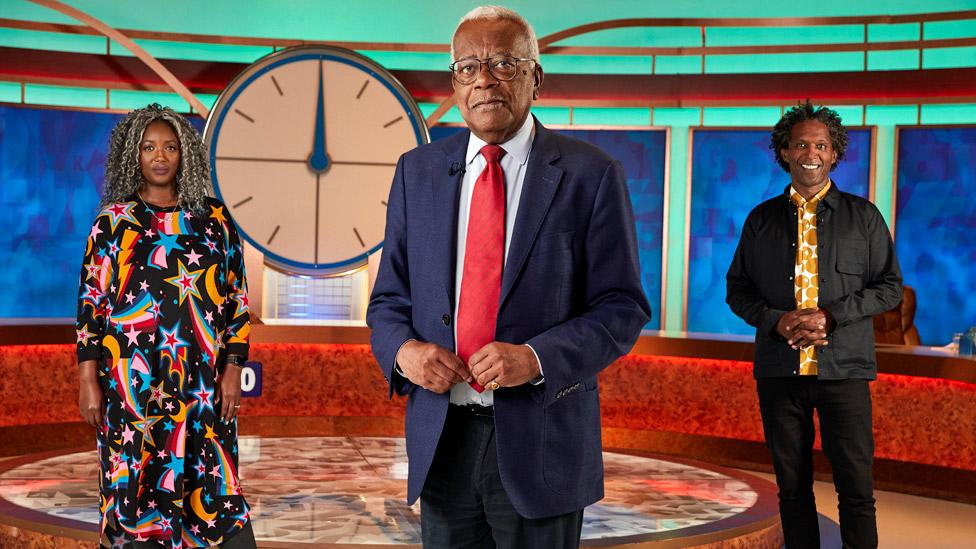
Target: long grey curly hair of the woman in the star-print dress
x,y
123,176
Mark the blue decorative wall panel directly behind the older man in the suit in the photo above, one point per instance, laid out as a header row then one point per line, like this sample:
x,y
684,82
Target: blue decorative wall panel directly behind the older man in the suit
x,y
642,155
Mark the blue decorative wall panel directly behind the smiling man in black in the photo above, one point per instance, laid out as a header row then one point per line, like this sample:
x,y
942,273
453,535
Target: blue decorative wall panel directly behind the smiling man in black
x,y
733,171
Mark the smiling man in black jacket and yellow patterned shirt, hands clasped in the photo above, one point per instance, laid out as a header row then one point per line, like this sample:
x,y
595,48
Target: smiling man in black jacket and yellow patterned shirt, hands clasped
x,y
813,265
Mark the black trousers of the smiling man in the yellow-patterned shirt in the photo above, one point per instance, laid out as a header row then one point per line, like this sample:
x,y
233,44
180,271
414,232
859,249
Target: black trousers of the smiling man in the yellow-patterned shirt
x,y
844,409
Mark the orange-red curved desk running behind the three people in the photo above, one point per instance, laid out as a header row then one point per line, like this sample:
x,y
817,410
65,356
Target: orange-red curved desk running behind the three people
x,y
690,395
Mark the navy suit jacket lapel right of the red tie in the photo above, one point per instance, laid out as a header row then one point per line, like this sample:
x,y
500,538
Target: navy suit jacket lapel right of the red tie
x,y
539,188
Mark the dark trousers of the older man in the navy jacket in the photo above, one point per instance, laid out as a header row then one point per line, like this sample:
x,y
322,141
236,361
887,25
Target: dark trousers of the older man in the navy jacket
x,y
463,504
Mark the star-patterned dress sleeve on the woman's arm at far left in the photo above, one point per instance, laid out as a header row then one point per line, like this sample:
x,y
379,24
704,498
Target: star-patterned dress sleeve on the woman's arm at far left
x,y
96,278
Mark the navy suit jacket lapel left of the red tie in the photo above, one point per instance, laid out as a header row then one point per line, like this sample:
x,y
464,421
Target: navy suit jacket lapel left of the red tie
x,y
445,189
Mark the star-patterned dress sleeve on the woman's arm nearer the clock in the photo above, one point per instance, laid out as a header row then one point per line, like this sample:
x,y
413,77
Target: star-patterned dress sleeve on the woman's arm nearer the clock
x,y
236,310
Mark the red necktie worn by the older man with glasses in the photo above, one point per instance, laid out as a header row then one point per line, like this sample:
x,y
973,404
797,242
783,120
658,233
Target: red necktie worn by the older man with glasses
x,y
484,251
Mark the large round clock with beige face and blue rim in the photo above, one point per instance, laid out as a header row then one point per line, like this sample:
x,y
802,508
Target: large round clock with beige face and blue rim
x,y
303,147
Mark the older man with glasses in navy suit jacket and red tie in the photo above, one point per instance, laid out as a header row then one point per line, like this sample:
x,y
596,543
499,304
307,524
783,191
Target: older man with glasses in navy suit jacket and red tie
x,y
509,280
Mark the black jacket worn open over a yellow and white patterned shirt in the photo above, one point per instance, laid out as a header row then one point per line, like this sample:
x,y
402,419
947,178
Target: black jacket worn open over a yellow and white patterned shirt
x,y
859,277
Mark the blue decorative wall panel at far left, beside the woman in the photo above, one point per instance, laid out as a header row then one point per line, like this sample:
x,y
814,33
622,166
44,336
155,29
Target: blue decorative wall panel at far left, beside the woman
x,y
51,168
